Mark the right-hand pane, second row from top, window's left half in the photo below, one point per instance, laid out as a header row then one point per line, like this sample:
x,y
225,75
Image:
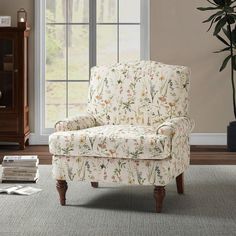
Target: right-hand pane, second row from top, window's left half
x,y
78,52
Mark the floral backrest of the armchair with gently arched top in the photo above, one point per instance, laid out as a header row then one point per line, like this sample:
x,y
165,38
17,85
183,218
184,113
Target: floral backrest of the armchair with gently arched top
x,y
143,92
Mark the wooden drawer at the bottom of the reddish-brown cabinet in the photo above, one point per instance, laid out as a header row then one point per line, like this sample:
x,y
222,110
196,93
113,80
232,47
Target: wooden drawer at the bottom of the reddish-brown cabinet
x,y
8,123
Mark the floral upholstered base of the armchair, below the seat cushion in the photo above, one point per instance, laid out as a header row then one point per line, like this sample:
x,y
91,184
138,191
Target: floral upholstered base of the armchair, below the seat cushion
x,y
125,171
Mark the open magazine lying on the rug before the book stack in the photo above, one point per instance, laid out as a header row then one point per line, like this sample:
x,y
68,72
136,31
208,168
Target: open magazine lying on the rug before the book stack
x,y
22,190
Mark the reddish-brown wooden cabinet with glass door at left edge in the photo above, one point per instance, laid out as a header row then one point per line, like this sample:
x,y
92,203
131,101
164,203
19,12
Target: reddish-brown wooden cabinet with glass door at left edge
x,y
14,107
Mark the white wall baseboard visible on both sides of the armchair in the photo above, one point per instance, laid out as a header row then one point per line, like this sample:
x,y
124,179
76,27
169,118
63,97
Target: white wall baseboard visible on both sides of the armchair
x,y
195,139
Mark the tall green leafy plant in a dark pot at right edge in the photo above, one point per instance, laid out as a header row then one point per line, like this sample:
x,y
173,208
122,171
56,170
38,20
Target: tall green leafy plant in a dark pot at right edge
x,y
224,21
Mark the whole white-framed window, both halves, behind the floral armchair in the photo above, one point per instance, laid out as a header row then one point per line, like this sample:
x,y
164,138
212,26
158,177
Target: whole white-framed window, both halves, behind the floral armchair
x,y
77,35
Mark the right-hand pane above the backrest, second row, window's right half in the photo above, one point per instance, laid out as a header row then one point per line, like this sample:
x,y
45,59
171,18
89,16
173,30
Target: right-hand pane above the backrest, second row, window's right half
x,y
129,42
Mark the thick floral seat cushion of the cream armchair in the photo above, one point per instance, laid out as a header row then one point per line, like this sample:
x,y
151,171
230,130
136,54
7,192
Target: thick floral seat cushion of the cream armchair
x,y
112,141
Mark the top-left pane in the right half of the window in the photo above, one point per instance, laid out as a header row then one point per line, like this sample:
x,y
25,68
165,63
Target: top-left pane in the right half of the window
x,y
107,11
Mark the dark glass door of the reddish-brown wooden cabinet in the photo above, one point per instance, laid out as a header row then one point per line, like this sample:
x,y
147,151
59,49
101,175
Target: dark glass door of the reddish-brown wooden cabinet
x,y
6,73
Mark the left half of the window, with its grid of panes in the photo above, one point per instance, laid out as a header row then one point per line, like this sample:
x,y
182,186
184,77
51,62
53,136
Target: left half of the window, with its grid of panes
x,y
67,58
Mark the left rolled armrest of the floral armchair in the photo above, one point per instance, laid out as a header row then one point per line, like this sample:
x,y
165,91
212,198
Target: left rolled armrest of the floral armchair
x,y
81,121
